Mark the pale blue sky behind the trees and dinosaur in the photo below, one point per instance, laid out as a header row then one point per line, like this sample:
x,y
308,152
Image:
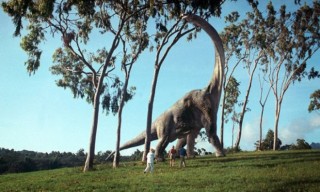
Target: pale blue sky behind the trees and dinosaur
x,y
37,115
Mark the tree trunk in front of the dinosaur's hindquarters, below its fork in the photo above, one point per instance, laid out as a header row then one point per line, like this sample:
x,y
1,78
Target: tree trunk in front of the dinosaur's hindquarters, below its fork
x,y
149,115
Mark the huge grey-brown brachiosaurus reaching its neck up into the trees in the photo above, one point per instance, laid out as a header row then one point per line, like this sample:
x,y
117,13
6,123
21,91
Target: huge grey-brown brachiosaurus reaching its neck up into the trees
x,y
196,110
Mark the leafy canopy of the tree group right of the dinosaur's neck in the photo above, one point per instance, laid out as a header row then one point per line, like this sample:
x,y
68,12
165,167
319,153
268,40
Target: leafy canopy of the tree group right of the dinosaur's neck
x,y
288,39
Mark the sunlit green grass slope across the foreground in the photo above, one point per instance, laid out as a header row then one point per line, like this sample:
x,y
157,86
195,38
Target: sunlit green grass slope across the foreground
x,y
246,171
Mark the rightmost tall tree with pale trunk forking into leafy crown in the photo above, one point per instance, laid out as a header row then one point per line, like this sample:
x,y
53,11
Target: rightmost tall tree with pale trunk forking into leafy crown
x,y
295,38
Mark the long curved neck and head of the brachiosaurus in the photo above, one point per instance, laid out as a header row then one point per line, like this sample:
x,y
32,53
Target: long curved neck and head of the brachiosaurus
x,y
215,86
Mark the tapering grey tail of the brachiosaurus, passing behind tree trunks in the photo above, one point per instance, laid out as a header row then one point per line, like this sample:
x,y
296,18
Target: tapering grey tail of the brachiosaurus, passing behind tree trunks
x,y
137,141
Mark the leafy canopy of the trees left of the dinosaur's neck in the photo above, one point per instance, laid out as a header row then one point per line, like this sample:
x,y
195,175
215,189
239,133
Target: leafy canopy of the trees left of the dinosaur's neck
x,y
79,69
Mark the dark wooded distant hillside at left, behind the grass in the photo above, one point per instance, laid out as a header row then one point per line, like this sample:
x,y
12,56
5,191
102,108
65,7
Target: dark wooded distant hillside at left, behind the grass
x,y
12,161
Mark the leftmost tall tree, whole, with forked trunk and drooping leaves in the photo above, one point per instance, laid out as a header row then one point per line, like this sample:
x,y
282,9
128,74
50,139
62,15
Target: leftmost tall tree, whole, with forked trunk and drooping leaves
x,y
83,71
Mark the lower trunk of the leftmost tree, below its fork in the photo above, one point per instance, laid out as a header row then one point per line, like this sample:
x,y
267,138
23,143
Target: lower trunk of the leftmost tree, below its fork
x,y
92,143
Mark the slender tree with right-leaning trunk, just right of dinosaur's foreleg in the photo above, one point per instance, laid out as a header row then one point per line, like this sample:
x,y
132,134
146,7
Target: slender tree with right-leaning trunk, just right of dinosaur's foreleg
x,y
243,40
